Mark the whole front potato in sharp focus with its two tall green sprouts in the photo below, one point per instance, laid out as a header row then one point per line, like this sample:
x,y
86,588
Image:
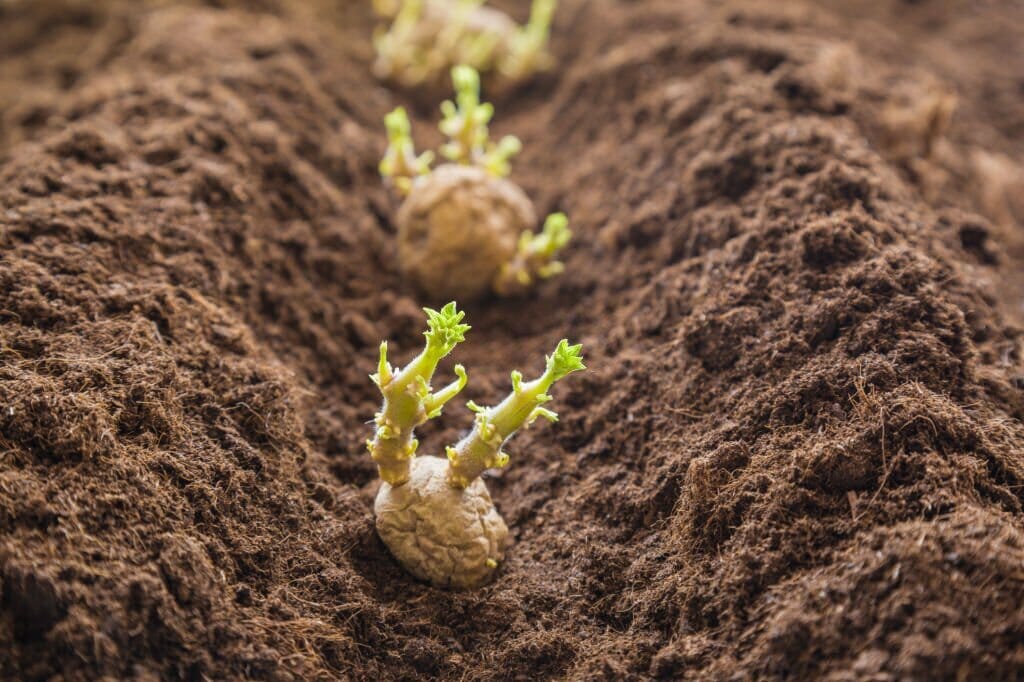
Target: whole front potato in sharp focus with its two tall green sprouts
x,y
436,515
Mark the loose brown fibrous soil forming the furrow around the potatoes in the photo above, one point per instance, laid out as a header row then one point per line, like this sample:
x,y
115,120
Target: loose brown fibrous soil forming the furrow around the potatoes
x,y
799,452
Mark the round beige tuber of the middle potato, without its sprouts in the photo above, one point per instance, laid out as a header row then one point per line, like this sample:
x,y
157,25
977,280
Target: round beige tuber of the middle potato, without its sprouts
x,y
456,230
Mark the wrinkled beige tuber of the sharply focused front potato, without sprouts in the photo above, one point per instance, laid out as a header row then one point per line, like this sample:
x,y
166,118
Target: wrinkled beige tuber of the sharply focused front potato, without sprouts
x,y
450,538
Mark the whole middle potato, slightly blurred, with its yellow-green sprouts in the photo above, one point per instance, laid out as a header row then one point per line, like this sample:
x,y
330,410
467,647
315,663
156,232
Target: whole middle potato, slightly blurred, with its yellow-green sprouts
x,y
465,230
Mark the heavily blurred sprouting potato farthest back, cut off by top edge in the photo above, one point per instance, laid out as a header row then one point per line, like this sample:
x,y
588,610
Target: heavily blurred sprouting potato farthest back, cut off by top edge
x,y
429,37
